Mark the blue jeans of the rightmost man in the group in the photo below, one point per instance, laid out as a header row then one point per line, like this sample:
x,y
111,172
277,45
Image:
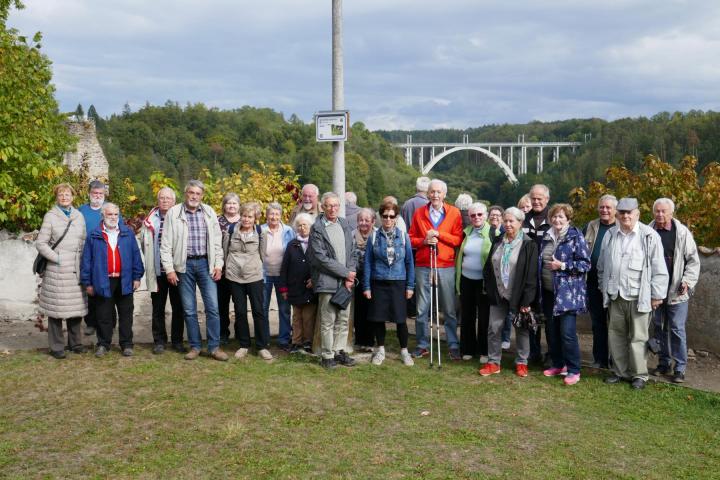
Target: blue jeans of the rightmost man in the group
x,y
669,322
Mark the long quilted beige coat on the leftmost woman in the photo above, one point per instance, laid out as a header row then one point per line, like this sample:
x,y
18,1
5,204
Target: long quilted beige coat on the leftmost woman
x,y
61,295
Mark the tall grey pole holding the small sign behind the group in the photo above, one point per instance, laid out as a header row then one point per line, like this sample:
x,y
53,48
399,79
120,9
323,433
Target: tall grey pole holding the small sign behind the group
x,y
338,102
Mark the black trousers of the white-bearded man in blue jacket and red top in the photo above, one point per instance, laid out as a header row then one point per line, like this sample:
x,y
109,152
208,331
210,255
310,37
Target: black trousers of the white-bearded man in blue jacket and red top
x,y
106,306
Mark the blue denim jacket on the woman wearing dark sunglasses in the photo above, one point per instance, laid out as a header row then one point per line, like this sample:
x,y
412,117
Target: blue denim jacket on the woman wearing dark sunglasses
x,y
376,263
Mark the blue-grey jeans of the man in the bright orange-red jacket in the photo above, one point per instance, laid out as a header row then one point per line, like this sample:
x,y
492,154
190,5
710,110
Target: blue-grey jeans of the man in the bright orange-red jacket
x,y
446,296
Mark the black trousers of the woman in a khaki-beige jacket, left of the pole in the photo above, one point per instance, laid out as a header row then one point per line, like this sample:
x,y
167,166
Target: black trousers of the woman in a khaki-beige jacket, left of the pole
x,y
240,293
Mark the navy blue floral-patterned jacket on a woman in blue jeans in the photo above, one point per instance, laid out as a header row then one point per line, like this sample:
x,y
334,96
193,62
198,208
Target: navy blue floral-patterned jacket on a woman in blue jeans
x,y
568,285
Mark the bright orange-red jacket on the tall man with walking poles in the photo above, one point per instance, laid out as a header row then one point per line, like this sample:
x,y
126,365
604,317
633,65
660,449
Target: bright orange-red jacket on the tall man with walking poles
x,y
450,238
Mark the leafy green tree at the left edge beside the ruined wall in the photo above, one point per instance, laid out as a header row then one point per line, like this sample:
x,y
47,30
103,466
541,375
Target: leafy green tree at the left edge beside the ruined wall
x,y
34,136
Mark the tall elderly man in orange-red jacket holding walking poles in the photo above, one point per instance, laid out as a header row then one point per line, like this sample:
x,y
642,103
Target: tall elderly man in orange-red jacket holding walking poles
x,y
436,226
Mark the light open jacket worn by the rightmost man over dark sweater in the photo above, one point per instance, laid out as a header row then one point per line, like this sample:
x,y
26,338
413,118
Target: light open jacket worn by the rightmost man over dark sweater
x,y
686,263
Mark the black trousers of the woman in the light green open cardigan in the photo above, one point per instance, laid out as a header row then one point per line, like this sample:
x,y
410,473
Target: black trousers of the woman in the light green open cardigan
x,y
475,310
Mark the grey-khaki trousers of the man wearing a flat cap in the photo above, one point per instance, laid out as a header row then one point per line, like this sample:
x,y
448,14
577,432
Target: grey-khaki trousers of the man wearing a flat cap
x,y
628,332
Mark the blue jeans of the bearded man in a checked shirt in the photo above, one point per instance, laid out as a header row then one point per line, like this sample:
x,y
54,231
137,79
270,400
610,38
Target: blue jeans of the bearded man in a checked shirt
x,y
197,274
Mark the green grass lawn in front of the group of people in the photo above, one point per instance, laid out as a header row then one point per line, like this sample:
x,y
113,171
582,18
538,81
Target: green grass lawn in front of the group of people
x,y
160,416
